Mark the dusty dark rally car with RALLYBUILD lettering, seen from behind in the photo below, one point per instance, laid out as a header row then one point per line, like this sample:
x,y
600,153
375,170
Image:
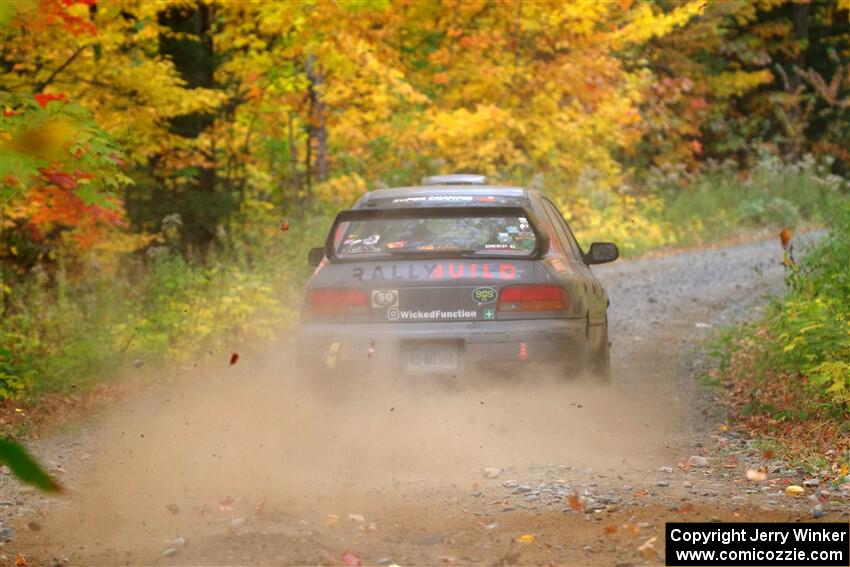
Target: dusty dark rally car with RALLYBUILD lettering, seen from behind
x,y
455,275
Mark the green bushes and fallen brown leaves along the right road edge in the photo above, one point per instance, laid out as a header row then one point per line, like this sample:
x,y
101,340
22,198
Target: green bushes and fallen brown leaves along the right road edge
x,y
787,376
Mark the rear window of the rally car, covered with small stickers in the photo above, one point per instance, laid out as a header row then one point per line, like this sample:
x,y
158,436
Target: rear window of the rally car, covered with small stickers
x,y
467,236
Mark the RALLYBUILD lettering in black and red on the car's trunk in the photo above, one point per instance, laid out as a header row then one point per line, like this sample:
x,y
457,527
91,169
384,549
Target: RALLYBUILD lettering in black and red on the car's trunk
x,y
438,271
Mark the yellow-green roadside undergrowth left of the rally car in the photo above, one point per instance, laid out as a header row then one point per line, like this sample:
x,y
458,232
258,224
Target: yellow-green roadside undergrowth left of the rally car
x,y
66,331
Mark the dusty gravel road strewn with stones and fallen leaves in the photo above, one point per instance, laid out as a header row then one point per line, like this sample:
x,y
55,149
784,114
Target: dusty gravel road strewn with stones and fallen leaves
x,y
244,465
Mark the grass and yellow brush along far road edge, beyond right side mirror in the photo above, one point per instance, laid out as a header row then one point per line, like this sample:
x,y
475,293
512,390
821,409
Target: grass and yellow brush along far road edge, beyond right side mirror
x,y
684,209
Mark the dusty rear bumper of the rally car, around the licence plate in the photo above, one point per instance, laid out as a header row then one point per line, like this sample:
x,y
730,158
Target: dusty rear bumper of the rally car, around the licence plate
x,y
497,345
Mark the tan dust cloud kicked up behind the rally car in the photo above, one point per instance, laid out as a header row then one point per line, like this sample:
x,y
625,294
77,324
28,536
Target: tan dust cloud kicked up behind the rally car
x,y
261,435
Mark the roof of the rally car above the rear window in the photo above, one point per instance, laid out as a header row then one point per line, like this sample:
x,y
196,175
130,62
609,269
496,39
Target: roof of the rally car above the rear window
x,y
380,198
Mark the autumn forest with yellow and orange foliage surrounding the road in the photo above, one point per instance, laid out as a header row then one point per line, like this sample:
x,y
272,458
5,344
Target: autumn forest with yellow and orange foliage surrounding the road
x,y
167,164
